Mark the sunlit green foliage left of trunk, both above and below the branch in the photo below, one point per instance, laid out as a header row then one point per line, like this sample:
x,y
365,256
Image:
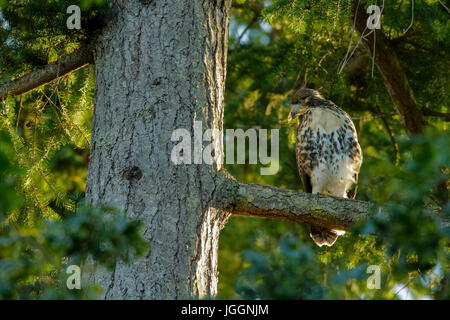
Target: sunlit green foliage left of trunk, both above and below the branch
x,y
50,127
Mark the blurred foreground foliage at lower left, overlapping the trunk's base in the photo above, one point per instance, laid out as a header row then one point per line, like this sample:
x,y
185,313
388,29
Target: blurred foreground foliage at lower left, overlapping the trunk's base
x,y
33,260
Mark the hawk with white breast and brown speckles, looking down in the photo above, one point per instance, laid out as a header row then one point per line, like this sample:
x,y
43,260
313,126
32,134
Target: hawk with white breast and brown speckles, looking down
x,y
327,150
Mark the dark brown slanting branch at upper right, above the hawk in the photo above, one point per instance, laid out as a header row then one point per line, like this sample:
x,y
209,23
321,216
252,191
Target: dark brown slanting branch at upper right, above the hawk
x,y
394,77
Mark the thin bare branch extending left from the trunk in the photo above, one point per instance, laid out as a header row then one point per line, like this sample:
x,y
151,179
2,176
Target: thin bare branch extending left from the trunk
x,y
45,74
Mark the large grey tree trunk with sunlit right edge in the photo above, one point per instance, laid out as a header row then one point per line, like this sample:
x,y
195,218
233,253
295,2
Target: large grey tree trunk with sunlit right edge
x,y
160,66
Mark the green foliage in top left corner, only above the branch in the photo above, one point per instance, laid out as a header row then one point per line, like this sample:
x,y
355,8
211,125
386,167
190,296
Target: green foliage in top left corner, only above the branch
x,y
34,33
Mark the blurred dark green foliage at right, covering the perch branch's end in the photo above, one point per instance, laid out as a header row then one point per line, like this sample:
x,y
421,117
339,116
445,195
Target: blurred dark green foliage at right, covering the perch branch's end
x,y
407,226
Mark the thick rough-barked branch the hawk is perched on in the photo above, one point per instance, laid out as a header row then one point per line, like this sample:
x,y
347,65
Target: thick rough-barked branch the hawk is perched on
x,y
263,201
